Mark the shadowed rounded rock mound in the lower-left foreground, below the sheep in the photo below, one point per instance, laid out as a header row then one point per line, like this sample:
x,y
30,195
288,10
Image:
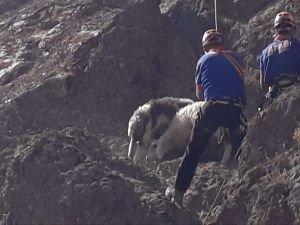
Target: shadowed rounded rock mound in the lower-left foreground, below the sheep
x,y
69,177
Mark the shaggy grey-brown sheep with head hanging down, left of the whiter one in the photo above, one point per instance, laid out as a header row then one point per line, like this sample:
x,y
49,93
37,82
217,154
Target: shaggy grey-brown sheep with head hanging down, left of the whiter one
x,y
149,122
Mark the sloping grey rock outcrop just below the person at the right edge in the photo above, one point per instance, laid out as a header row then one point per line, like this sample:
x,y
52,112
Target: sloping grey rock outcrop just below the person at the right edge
x,y
268,136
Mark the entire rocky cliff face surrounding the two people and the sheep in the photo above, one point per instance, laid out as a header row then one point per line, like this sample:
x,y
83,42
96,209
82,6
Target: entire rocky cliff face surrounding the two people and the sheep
x,y
72,73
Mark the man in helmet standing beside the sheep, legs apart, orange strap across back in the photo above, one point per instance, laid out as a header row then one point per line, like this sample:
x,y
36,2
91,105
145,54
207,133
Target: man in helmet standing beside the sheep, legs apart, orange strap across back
x,y
220,81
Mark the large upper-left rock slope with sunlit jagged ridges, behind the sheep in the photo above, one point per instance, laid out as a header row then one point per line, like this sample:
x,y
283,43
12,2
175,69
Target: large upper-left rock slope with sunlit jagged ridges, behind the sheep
x,y
79,51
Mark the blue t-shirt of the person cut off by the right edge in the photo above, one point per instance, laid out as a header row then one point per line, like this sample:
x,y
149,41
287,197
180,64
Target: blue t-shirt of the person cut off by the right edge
x,y
279,57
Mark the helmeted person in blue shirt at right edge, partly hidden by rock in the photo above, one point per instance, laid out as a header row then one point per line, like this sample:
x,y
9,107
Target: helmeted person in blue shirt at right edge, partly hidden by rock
x,y
279,61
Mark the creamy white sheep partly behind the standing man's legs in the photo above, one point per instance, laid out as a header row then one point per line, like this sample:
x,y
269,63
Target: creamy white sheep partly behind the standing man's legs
x,y
173,142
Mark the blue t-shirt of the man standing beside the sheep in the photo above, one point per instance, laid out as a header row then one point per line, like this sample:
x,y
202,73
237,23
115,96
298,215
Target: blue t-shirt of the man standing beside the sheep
x,y
219,77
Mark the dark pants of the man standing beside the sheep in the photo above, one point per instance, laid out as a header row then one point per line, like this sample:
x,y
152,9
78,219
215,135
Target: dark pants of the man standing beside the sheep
x,y
212,116
